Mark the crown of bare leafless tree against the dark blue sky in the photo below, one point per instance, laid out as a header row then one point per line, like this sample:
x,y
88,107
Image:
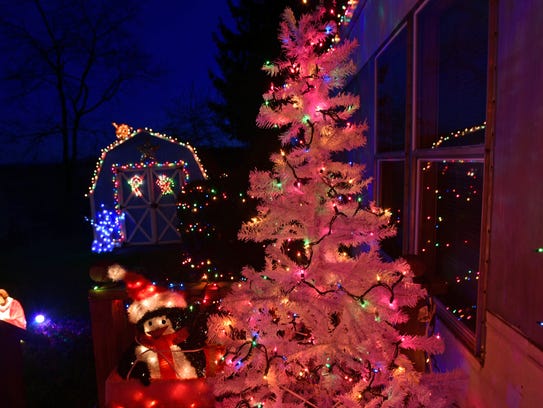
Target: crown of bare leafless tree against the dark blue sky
x,y
68,59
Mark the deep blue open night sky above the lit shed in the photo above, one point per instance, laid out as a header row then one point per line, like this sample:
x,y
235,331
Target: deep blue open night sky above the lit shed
x,y
177,34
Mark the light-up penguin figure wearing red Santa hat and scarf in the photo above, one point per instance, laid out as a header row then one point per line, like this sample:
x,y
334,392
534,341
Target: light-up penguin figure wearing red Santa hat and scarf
x,y
165,346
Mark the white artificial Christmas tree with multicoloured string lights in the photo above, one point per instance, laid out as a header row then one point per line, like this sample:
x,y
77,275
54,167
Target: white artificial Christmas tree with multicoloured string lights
x,y
319,325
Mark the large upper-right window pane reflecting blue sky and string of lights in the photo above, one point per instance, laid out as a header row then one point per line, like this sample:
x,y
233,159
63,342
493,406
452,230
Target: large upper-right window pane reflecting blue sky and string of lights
x,y
451,72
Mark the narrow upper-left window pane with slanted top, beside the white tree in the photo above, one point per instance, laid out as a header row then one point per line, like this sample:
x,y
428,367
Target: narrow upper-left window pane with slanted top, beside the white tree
x,y
391,66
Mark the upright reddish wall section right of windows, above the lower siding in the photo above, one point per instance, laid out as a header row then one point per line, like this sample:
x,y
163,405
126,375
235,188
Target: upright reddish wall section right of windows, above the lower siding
x,y
517,217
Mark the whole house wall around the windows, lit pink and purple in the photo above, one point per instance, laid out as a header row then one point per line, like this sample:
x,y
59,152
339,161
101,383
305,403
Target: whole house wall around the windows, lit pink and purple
x,y
510,372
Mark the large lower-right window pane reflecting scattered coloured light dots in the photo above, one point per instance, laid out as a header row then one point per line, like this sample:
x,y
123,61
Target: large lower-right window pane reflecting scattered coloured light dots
x,y
450,222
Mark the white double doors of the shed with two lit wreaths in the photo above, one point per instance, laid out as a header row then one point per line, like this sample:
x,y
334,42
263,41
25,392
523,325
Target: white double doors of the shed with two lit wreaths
x,y
147,197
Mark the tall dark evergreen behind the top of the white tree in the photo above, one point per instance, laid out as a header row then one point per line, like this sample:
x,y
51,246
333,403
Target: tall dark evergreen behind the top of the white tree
x,y
240,82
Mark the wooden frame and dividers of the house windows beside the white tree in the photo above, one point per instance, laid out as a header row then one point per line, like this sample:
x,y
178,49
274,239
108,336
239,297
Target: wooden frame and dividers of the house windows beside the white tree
x,y
412,157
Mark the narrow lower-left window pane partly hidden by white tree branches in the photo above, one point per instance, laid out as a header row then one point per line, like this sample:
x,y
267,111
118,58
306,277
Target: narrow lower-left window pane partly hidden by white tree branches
x,y
392,194
